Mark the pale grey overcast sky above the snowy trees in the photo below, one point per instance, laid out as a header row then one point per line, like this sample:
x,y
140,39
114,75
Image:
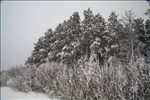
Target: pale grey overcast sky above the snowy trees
x,y
22,23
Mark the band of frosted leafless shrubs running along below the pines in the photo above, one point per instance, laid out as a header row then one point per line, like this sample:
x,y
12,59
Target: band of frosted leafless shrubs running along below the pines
x,y
85,81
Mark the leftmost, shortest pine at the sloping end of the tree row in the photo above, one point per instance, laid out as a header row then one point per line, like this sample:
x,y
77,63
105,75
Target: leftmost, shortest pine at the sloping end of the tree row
x,y
41,49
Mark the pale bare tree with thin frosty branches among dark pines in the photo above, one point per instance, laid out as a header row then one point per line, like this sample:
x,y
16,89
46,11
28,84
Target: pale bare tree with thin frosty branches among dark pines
x,y
129,34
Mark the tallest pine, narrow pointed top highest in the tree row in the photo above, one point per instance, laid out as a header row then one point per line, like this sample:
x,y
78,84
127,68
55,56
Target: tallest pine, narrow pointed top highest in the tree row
x,y
87,32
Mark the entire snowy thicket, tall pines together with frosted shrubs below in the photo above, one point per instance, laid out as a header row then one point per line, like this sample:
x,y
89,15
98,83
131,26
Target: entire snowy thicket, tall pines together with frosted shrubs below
x,y
93,59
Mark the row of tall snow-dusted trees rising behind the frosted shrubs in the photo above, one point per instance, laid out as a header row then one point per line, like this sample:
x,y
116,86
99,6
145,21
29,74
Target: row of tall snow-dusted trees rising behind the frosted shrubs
x,y
94,39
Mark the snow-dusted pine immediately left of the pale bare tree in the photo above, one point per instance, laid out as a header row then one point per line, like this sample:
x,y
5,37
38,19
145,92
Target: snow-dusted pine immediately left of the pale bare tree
x,y
114,30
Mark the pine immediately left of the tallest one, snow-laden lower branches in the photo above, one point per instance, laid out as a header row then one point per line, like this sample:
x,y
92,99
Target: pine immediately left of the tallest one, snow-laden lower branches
x,y
70,52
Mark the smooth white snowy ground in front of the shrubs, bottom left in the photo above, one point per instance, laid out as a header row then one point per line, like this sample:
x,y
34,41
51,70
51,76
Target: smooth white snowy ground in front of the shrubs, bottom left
x,y
10,94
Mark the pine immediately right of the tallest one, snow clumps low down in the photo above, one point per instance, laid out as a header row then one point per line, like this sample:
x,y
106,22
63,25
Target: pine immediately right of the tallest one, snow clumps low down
x,y
99,39
